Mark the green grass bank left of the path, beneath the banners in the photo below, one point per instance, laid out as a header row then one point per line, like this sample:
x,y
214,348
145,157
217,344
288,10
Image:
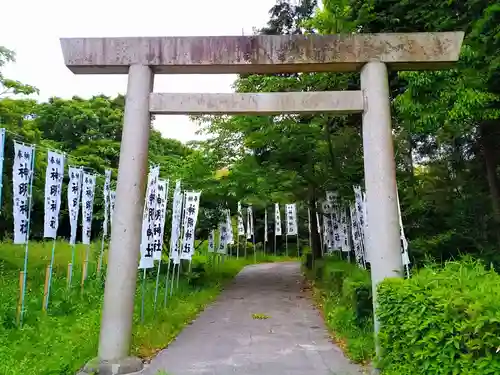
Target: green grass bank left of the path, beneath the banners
x,y
61,341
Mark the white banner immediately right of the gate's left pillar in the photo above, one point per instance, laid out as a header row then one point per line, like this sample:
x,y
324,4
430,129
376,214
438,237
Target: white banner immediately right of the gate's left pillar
x,y
147,234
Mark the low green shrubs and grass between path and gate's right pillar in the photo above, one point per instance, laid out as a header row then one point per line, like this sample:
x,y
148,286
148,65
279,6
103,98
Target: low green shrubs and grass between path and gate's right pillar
x,y
345,296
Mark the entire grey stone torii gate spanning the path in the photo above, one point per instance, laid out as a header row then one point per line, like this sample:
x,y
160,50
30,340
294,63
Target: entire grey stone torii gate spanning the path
x,y
141,58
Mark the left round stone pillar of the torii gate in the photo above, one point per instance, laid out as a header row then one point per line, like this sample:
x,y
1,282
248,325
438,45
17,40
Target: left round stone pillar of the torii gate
x,y
118,308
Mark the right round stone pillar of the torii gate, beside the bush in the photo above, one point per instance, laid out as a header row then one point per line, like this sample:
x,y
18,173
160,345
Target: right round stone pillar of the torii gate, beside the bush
x,y
383,240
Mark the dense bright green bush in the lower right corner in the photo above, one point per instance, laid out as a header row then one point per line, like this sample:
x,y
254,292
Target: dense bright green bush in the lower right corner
x,y
441,321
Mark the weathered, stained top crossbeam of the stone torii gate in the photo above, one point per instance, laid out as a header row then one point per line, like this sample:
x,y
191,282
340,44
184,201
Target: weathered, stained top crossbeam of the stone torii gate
x,y
262,53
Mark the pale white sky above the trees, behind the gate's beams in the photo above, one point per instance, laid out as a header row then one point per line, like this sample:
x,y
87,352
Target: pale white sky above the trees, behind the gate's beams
x,y
32,29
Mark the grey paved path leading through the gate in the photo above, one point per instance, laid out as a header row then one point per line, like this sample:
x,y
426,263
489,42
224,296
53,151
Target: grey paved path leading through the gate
x,y
225,339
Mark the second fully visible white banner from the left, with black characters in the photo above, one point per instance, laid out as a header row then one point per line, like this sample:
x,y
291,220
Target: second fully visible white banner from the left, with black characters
x,y
53,186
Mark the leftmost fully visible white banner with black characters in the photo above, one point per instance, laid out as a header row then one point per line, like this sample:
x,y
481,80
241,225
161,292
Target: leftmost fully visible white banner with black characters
x,y
22,179
